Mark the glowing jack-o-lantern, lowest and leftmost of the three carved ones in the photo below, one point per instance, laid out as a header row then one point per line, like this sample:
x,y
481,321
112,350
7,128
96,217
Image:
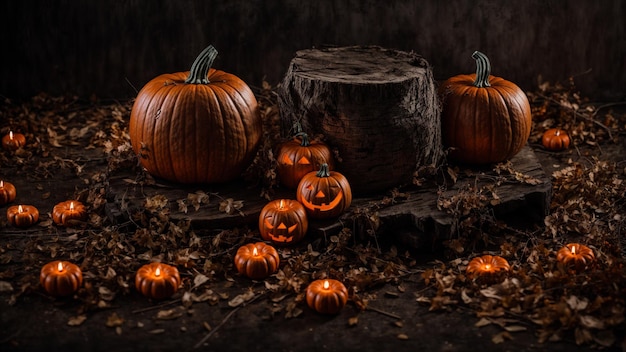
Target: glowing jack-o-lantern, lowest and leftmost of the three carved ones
x,y
283,222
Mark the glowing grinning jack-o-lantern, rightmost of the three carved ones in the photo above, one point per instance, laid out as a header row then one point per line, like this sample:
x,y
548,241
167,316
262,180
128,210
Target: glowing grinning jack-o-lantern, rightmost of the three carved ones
x,y
324,194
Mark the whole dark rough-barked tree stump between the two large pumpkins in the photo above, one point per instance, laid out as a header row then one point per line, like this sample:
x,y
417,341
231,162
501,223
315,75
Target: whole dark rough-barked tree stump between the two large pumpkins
x,y
377,107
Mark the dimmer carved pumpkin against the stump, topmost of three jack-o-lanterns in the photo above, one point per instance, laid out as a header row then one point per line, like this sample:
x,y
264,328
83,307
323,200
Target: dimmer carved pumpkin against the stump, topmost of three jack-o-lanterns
x,y
297,158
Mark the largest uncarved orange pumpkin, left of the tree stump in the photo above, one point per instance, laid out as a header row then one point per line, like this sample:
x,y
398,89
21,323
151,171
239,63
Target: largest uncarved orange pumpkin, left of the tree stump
x,y
201,126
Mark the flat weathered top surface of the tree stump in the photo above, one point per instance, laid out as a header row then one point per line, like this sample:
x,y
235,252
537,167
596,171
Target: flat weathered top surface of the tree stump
x,y
358,64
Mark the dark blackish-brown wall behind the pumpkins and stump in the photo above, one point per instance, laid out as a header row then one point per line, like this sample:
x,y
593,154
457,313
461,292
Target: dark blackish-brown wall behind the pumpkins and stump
x,y
108,47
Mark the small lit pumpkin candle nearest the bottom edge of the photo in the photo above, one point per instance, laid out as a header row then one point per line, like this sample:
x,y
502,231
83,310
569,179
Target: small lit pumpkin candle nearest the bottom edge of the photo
x,y
326,296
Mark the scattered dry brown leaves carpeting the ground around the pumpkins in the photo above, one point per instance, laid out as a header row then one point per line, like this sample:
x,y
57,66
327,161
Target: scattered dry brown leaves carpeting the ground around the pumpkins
x,y
588,206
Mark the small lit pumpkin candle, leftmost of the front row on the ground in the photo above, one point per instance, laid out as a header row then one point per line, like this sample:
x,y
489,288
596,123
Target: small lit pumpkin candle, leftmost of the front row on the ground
x,y
60,278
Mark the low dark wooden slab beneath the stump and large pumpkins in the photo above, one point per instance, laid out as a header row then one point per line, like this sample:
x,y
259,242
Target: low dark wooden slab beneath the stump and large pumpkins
x,y
415,212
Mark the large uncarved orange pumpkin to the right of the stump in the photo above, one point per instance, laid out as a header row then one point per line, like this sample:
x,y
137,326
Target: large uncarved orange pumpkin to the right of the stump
x,y
485,119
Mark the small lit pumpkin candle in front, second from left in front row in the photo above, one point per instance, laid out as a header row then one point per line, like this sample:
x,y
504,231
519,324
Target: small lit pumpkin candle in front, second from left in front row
x,y
157,280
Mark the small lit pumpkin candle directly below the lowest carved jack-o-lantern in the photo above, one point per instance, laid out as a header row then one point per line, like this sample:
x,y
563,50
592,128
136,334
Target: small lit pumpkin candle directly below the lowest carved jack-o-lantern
x,y
257,260
